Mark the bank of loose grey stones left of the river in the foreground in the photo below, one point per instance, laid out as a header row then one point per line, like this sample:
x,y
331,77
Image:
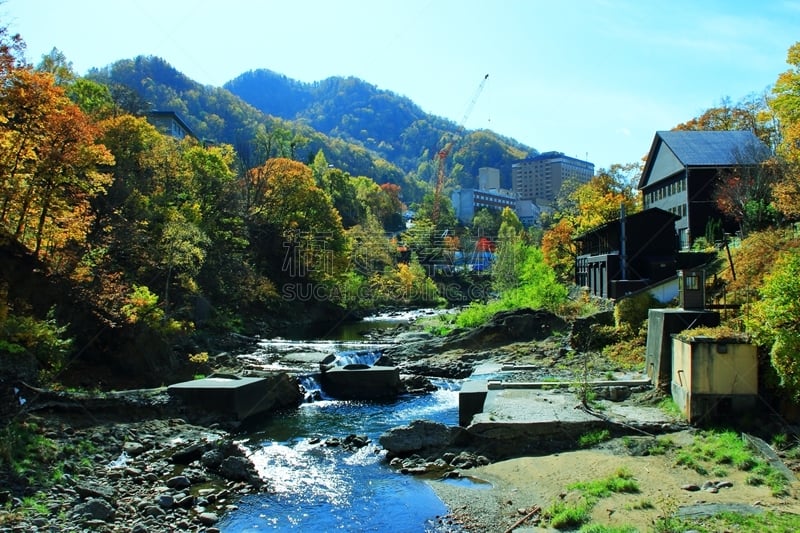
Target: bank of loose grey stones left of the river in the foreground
x,y
154,475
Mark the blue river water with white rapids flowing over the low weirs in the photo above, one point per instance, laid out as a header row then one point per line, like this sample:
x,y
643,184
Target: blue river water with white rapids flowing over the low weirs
x,y
317,487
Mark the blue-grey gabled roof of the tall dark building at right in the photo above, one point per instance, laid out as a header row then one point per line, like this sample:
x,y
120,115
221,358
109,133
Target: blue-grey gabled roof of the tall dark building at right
x,y
698,148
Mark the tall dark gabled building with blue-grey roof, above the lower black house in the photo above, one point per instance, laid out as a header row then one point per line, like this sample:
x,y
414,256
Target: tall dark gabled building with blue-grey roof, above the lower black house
x,y
682,170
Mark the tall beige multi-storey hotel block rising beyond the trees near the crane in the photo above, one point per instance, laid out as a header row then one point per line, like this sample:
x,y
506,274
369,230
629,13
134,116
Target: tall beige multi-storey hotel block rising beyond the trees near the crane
x,y
539,178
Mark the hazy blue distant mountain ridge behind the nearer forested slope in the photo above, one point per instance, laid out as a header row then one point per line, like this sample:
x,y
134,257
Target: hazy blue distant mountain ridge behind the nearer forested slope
x,y
386,123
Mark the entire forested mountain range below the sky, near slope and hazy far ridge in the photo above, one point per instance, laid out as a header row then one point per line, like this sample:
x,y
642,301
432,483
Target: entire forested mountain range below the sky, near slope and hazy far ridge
x,y
360,128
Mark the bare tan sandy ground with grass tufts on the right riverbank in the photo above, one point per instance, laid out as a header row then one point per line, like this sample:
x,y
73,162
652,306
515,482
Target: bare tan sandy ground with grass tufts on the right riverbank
x,y
515,486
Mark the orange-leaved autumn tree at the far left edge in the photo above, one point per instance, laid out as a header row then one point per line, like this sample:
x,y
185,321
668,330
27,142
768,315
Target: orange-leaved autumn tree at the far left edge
x,y
50,161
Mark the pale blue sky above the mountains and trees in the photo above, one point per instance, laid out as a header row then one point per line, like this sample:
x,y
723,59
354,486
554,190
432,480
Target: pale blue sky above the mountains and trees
x,y
593,79
